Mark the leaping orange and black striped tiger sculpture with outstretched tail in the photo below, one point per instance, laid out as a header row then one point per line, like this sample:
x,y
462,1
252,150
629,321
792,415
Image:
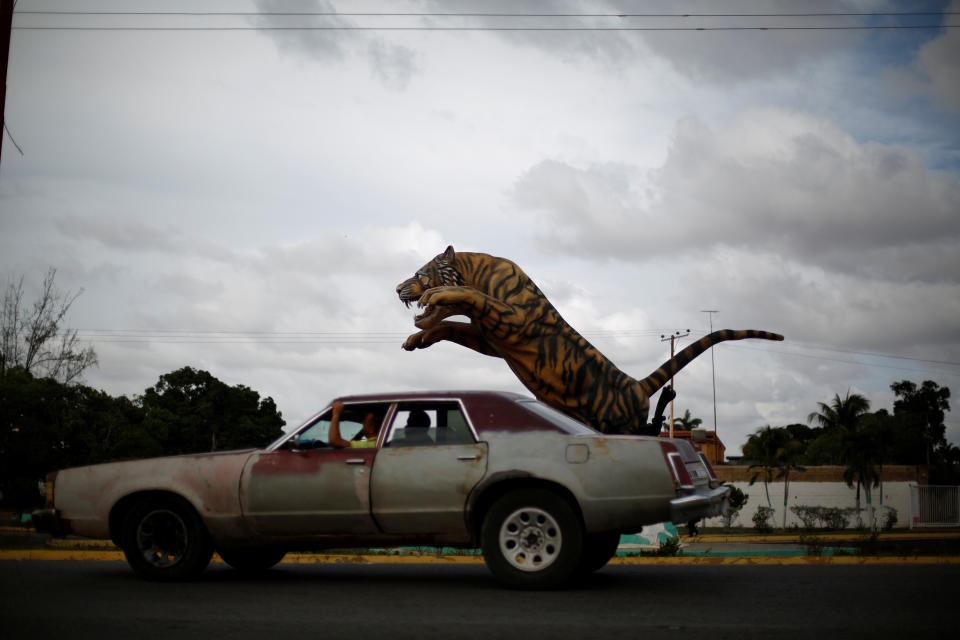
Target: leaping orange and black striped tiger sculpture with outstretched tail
x,y
510,318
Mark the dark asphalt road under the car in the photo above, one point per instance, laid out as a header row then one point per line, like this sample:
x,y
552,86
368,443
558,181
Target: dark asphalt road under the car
x,y
67,599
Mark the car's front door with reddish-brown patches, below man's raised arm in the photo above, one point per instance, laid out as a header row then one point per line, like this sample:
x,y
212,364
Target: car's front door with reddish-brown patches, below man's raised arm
x,y
308,488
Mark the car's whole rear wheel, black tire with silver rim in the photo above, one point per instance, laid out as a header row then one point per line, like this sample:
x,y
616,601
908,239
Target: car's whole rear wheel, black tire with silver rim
x,y
532,539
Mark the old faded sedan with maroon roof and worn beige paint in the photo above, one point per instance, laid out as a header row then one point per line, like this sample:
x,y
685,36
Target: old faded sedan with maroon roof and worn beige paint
x,y
543,496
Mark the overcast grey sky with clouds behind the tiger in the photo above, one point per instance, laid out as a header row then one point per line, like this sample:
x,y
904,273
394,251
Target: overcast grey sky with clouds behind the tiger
x,y
240,194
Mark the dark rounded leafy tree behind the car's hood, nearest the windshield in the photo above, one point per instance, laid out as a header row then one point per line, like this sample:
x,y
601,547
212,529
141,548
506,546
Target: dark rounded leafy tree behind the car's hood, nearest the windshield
x,y
190,411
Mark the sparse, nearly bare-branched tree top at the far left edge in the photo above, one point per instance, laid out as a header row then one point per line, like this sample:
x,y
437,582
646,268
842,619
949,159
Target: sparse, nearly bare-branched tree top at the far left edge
x,y
32,338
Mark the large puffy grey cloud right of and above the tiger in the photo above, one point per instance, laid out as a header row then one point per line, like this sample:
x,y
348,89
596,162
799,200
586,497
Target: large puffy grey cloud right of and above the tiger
x,y
771,179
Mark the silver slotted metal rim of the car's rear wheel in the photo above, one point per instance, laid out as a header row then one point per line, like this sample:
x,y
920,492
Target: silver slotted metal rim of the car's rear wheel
x,y
530,539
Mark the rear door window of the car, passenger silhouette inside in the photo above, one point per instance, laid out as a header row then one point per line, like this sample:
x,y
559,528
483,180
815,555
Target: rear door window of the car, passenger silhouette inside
x,y
427,424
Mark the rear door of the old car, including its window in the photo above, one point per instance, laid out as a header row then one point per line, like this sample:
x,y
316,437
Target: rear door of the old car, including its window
x,y
420,481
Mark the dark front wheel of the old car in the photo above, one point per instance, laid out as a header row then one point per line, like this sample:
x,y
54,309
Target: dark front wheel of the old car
x,y
165,540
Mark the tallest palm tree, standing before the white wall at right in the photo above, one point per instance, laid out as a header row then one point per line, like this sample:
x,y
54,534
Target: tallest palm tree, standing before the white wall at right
x,y
859,450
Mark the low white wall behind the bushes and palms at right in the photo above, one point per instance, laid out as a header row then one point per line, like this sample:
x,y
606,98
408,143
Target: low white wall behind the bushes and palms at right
x,y
818,494
